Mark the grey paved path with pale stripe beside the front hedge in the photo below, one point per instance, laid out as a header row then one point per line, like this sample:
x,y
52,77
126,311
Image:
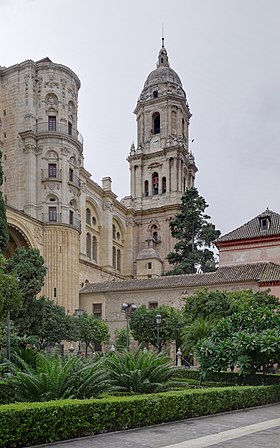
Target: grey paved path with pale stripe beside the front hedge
x,y
249,428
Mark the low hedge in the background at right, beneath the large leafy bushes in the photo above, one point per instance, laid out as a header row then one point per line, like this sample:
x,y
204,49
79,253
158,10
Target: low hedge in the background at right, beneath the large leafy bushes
x,y
231,378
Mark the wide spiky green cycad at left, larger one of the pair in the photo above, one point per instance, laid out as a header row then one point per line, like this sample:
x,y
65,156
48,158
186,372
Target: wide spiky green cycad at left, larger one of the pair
x,y
54,378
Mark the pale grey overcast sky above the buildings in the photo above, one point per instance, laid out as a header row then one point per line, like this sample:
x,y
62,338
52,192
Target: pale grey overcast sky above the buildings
x,y
226,53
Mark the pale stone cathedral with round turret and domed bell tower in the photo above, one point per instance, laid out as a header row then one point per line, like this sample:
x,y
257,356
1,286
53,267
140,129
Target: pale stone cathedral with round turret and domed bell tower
x,y
83,232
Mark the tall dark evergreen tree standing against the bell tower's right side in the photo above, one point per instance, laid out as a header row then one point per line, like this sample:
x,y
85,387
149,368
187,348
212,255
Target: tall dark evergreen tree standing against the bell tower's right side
x,y
194,234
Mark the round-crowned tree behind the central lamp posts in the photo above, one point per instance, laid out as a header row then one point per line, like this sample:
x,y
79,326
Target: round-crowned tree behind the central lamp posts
x,y
144,328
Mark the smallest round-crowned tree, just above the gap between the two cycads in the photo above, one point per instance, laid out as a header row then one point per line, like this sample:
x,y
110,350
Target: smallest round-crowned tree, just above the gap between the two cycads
x,y
92,331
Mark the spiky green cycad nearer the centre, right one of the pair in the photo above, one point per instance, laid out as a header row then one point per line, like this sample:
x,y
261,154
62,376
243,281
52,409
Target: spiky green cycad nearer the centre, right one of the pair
x,y
140,372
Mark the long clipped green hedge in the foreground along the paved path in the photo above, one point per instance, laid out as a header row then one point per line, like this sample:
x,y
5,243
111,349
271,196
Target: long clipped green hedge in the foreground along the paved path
x,y
25,424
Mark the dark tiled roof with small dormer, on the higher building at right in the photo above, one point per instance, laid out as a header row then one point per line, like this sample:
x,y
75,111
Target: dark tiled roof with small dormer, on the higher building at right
x,y
252,229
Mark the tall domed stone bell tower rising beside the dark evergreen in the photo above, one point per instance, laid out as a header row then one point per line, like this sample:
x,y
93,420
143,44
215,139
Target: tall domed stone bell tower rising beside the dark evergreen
x,y
161,165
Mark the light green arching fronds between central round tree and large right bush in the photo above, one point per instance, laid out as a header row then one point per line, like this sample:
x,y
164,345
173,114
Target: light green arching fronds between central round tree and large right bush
x,y
191,334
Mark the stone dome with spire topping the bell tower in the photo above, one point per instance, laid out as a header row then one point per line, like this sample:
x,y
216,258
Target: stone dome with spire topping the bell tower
x,y
163,80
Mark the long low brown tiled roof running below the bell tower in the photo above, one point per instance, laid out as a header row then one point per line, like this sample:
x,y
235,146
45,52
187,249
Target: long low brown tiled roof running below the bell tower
x,y
262,272
